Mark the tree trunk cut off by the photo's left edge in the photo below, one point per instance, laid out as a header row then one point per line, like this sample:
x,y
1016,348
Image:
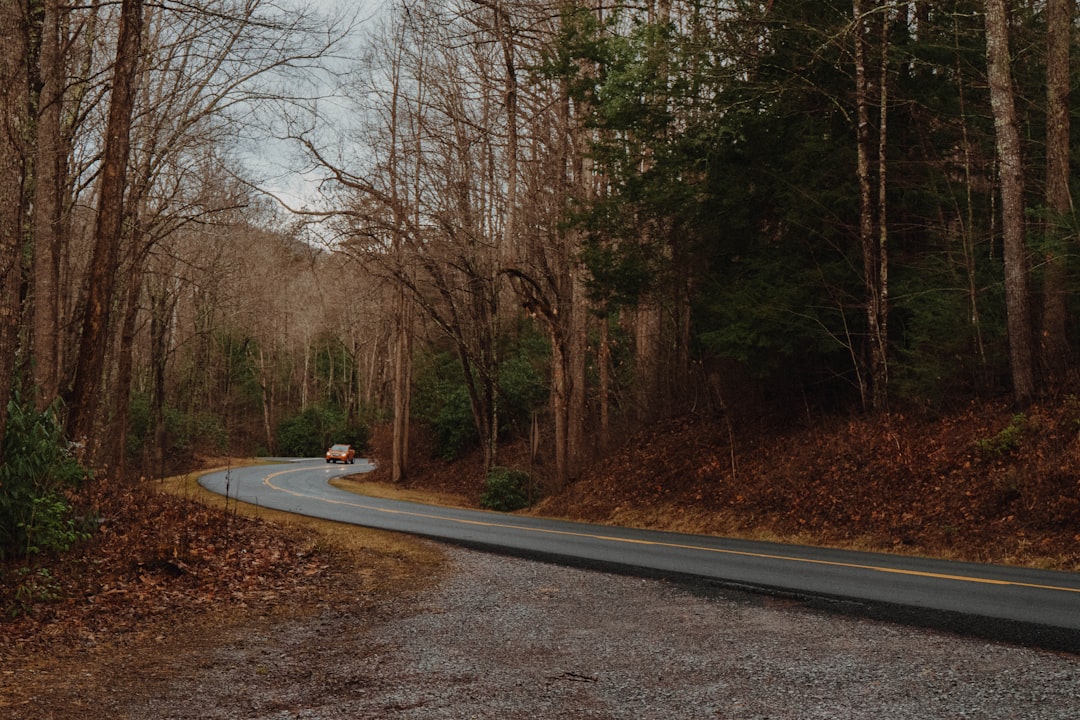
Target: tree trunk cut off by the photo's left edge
x,y
13,119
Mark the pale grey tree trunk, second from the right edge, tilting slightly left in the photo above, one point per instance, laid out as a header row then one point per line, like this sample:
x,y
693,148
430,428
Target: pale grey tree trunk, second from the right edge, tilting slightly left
x,y
1011,175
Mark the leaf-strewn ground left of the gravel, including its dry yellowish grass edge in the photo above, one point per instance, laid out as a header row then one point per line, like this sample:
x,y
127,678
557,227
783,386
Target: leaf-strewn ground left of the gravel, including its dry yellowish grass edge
x,y
168,580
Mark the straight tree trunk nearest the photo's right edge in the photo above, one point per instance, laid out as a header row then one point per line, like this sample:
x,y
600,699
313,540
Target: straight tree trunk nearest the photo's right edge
x,y
1055,348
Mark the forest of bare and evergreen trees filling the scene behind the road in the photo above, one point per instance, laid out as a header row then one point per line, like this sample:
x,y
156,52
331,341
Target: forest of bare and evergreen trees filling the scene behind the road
x,y
241,228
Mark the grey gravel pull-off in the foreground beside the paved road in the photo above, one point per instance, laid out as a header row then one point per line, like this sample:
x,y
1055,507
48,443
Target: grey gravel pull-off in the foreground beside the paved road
x,y
509,639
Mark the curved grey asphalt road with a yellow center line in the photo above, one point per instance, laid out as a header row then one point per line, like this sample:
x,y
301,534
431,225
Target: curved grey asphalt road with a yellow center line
x,y
1018,605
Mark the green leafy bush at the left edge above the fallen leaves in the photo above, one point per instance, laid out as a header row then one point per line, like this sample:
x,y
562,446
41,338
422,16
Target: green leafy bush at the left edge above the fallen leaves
x,y
36,470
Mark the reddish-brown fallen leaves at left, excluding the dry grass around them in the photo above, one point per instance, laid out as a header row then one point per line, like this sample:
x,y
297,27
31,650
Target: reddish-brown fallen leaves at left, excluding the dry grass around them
x,y
158,555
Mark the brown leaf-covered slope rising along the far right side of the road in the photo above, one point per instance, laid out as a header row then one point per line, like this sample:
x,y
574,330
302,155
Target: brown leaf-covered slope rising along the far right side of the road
x,y
983,484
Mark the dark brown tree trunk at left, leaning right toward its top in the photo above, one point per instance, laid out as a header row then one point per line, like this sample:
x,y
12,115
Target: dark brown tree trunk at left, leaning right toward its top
x,y
110,225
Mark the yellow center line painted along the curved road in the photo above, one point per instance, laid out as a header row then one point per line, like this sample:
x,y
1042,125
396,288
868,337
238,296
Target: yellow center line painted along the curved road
x,y
719,551
